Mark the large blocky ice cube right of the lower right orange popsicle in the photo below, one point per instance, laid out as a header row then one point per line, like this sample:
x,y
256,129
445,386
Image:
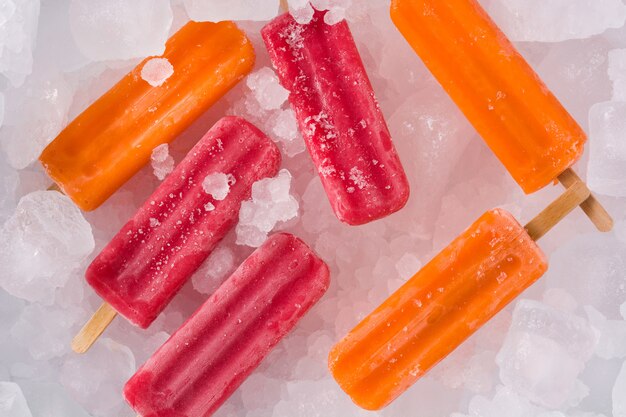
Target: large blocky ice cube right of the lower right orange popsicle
x,y
544,352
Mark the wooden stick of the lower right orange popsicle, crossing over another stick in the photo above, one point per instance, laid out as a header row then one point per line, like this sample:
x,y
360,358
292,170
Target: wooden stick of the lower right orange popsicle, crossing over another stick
x,y
576,194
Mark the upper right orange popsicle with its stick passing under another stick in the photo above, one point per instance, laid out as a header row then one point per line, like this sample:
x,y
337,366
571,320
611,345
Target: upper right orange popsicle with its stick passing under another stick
x,y
523,123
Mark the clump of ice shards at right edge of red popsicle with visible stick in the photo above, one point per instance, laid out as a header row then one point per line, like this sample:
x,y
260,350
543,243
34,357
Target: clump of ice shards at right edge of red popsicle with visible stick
x,y
270,204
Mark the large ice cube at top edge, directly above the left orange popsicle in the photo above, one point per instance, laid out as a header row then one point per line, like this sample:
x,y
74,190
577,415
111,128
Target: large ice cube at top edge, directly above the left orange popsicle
x,y
120,29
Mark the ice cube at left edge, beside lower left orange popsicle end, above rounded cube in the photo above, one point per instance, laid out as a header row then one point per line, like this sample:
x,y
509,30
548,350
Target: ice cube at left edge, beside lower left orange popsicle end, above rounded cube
x,y
35,113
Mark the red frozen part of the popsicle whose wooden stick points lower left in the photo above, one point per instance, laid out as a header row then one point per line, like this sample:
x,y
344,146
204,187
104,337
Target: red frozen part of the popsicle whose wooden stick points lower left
x,y
156,252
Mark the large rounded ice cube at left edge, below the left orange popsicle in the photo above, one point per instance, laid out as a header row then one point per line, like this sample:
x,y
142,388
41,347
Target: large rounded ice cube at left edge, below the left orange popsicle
x,y
41,244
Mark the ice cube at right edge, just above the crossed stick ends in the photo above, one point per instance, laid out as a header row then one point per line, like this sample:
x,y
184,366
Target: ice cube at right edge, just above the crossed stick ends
x,y
607,149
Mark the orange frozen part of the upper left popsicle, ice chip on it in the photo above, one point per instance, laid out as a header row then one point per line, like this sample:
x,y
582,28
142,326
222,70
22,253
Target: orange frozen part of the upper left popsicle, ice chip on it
x,y
114,137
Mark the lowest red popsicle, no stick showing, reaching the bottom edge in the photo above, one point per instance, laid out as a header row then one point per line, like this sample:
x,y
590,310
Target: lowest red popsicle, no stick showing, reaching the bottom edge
x,y
205,361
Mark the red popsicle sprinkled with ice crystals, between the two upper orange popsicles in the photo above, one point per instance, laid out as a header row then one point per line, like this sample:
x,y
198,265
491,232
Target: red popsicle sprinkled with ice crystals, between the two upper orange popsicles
x,y
339,117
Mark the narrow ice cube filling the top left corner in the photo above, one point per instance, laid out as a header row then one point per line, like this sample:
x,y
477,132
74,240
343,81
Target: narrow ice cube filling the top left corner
x,y
18,31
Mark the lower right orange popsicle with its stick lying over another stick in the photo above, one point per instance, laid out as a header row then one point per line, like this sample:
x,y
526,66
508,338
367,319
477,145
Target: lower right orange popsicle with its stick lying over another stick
x,y
450,298
